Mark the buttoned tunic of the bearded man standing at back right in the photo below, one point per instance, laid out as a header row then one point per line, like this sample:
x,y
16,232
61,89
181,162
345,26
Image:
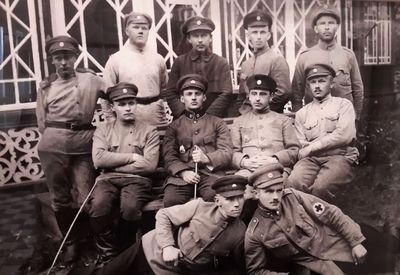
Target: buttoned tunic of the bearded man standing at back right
x,y
347,83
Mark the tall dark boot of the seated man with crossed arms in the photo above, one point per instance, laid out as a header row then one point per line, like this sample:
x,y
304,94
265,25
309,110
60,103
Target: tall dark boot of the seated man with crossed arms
x,y
104,239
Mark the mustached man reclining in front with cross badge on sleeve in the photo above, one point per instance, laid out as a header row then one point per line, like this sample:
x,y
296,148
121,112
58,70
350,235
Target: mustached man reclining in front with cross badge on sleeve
x,y
300,230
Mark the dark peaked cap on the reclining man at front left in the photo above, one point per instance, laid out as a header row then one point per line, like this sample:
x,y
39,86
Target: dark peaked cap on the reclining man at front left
x,y
230,186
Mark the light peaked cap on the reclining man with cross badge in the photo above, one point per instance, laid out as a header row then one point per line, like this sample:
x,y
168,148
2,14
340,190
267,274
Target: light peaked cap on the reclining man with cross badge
x,y
267,175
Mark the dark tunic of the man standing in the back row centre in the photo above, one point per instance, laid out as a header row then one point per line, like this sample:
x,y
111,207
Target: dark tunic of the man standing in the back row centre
x,y
212,67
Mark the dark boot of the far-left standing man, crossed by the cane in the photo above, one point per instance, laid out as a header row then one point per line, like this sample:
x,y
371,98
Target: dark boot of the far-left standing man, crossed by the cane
x,y
65,217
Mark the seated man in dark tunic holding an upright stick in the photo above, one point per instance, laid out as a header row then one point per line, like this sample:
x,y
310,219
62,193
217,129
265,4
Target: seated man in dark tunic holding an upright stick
x,y
196,146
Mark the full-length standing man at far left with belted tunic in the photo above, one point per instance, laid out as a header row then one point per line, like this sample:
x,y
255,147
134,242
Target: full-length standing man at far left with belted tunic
x,y
65,107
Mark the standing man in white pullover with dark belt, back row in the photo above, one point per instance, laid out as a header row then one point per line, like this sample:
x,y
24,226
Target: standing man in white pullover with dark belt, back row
x,y
136,63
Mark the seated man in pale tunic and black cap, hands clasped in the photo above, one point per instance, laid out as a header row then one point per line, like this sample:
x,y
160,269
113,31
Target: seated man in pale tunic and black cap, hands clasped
x,y
262,136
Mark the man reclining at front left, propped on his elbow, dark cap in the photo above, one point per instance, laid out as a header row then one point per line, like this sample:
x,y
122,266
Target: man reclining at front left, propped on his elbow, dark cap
x,y
194,238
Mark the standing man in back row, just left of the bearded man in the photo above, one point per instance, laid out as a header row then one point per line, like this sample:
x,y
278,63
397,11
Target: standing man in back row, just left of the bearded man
x,y
265,61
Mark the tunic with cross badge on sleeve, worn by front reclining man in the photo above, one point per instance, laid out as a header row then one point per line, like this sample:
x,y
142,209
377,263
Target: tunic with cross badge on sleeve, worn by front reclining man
x,y
306,230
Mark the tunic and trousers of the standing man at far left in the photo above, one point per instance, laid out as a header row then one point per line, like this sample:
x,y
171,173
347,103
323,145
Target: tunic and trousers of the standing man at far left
x,y
65,154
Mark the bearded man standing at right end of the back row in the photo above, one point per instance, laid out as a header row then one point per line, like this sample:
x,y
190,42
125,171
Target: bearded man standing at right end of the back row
x,y
347,82
